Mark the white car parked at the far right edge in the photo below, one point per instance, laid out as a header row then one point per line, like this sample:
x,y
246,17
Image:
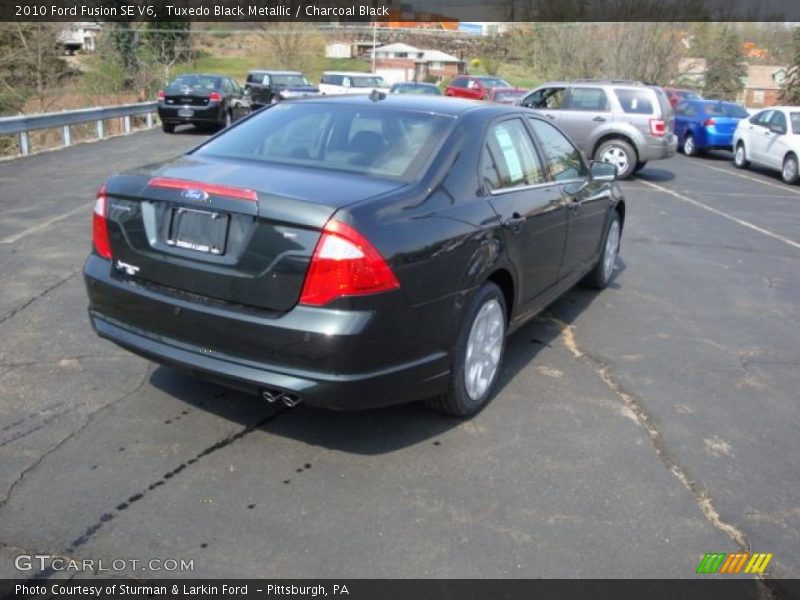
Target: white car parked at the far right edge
x,y
770,138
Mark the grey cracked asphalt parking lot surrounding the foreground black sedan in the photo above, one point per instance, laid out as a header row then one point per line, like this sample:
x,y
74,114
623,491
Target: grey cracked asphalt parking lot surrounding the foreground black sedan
x,y
635,430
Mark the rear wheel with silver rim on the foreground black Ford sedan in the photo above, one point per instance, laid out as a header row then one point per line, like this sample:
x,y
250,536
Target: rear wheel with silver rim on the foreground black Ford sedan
x,y
477,355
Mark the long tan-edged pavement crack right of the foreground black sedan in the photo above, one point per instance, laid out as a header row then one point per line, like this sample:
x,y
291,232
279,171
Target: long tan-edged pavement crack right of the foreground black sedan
x,y
637,412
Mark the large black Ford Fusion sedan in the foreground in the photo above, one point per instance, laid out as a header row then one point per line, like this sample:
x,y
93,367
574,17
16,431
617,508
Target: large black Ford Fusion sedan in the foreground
x,y
352,252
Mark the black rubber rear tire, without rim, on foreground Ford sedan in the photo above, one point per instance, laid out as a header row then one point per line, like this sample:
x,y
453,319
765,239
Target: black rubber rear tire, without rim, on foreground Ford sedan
x,y
457,401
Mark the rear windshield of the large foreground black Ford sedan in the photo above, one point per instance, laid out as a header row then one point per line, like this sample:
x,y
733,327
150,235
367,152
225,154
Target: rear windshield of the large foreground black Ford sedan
x,y
360,139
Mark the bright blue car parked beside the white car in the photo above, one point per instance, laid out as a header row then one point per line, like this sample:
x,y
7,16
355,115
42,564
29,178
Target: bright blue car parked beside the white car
x,y
706,125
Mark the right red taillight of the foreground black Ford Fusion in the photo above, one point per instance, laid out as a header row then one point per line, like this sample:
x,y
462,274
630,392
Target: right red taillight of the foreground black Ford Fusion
x,y
345,264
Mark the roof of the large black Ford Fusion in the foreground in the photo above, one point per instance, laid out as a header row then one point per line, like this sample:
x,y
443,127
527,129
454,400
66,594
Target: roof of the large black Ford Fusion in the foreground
x,y
441,105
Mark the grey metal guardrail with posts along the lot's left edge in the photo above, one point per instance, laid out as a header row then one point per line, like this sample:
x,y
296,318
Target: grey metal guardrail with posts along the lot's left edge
x,y
23,124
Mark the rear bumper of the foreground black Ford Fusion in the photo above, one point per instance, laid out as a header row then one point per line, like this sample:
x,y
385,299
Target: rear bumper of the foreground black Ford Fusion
x,y
327,358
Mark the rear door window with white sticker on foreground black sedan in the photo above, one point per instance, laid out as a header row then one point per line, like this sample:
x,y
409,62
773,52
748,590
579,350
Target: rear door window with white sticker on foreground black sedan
x,y
509,157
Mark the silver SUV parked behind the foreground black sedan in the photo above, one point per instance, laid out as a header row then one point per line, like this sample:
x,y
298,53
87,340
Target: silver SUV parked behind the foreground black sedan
x,y
625,123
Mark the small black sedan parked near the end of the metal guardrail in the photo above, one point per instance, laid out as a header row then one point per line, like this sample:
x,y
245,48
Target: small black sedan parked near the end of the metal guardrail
x,y
204,100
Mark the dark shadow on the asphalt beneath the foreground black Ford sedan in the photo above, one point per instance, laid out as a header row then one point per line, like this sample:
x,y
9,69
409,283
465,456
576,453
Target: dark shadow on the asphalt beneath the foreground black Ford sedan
x,y
382,430
